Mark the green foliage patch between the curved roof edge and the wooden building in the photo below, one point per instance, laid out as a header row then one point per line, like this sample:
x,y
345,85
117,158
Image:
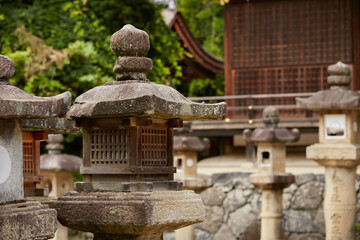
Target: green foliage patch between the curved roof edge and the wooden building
x,y
205,19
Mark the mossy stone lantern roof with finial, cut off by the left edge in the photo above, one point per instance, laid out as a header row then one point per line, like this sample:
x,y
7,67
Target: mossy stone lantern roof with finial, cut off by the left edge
x,y
16,103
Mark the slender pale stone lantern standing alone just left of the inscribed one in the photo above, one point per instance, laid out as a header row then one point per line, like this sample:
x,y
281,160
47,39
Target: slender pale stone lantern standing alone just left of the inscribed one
x,y
271,177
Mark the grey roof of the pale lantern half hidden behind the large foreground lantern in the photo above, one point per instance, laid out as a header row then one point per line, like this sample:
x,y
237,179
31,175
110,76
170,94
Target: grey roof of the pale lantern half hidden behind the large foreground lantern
x,y
184,142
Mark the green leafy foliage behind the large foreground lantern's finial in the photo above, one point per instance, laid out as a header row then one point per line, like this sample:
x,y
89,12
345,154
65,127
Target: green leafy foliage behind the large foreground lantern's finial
x,y
77,33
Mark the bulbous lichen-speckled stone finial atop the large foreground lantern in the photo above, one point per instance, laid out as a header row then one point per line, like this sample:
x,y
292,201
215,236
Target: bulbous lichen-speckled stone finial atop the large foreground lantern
x,y
130,46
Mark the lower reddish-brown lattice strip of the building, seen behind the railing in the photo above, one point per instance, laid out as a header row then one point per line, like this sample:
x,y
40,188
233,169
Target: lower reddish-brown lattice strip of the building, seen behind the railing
x,y
277,80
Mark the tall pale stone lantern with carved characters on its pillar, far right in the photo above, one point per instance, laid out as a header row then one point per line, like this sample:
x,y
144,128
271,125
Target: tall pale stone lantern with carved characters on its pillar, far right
x,y
338,149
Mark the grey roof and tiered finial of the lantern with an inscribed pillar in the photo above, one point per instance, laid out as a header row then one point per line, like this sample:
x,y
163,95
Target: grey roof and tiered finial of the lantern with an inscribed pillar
x,y
339,96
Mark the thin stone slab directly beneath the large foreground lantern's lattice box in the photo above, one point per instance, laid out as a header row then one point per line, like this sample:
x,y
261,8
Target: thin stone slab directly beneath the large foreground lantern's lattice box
x,y
128,186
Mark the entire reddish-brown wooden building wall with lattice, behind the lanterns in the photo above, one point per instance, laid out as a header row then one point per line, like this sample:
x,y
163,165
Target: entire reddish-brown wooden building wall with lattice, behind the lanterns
x,y
285,46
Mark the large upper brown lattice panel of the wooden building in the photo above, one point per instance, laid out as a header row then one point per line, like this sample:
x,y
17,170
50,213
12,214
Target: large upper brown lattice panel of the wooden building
x,y
284,33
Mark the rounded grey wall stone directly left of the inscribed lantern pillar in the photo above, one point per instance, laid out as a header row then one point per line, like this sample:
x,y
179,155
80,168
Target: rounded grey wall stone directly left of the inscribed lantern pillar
x,y
308,195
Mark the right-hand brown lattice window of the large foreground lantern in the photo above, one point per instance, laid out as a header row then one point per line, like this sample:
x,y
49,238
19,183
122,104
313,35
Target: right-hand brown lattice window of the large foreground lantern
x,y
154,146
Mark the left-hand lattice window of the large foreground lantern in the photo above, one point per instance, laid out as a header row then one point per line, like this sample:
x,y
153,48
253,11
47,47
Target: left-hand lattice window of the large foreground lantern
x,y
109,146
